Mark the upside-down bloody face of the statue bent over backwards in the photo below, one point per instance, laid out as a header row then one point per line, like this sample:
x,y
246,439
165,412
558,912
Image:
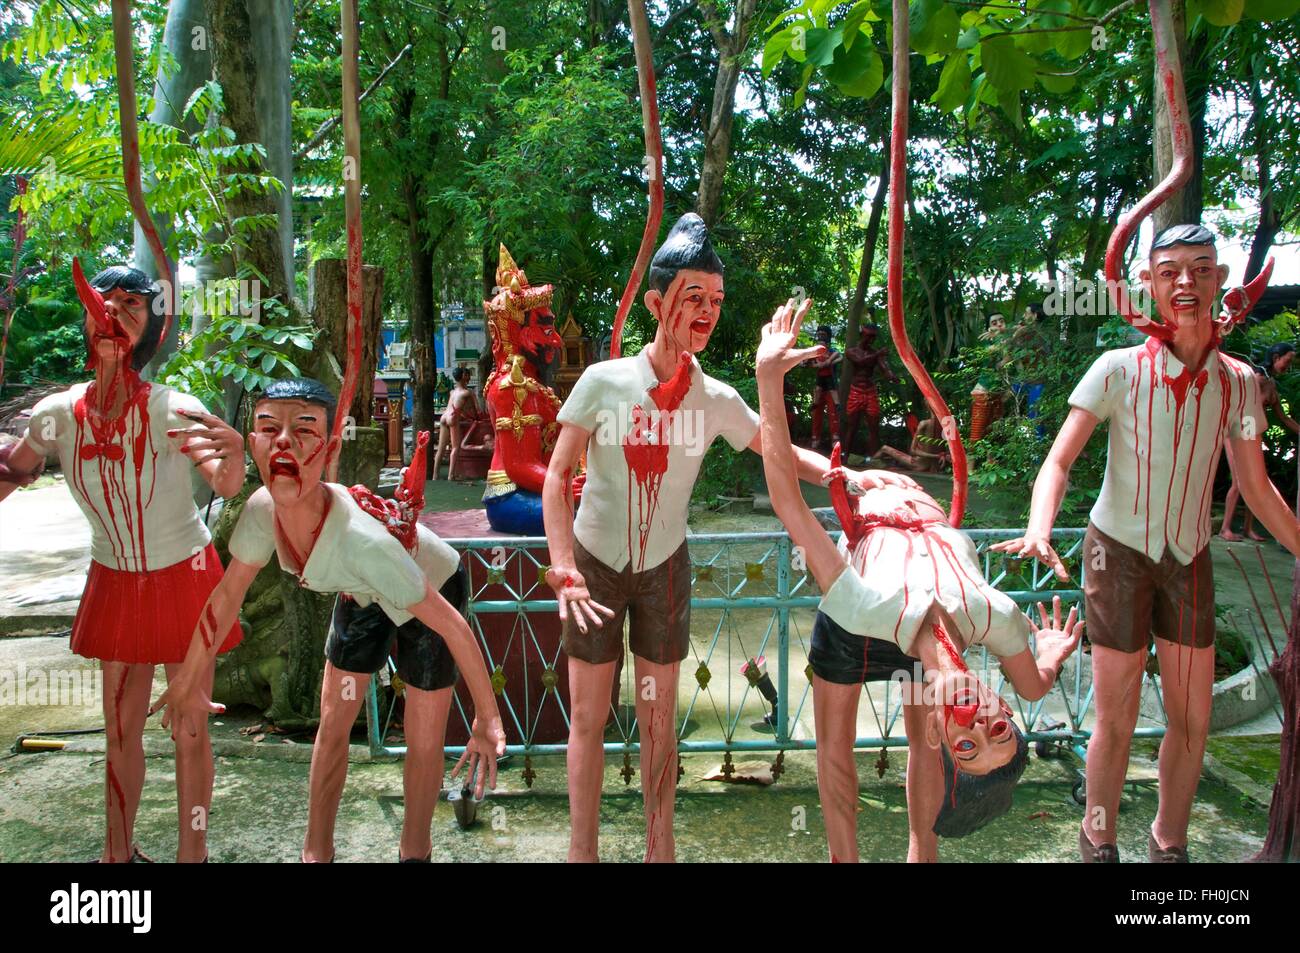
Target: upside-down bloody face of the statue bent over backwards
x,y
976,724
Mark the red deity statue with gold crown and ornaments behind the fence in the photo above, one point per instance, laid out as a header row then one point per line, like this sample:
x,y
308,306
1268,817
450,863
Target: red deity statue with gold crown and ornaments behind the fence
x,y
525,344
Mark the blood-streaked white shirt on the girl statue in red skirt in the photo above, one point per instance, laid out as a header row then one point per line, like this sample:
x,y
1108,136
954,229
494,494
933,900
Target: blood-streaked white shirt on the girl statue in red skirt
x,y
140,505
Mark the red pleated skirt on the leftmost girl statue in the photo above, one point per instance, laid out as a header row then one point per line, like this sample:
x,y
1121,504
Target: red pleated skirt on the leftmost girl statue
x,y
146,618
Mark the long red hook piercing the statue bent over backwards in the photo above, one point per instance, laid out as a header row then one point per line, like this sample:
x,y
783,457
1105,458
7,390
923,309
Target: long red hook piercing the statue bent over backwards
x,y
898,322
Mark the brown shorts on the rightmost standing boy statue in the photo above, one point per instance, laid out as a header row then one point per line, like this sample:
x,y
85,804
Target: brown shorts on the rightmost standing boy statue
x,y
1133,597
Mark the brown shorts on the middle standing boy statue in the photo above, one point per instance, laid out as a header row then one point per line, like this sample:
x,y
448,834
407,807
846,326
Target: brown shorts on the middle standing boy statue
x,y
656,603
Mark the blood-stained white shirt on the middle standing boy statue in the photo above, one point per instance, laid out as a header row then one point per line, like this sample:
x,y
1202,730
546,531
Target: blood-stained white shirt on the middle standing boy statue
x,y
630,516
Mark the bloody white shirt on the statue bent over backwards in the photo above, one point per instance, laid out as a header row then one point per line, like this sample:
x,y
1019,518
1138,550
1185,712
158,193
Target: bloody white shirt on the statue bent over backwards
x,y
896,577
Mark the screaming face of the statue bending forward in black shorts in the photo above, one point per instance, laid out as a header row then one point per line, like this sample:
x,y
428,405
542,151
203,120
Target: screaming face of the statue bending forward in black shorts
x,y
291,444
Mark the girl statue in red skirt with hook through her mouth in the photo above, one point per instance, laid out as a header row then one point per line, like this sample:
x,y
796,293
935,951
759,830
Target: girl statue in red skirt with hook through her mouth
x,y
127,448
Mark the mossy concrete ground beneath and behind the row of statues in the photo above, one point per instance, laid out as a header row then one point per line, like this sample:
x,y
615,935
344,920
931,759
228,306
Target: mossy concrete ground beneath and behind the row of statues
x,y
53,803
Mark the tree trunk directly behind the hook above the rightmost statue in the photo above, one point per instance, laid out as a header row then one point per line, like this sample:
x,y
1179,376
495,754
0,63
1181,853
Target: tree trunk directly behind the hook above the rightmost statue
x,y
1185,206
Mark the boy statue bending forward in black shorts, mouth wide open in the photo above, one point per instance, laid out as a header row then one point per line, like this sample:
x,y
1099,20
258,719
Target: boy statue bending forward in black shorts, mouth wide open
x,y
323,536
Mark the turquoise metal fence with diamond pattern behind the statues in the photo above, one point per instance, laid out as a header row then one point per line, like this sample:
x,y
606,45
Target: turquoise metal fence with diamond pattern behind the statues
x,y
751,597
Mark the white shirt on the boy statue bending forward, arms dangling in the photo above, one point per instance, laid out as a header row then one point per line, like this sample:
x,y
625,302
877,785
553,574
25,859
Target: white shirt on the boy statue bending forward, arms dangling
x,y
354,555
